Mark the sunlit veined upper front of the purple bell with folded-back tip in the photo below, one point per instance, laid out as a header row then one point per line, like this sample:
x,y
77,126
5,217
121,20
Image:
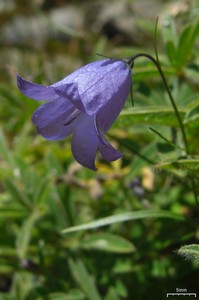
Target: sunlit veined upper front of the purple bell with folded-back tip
x,y
96,84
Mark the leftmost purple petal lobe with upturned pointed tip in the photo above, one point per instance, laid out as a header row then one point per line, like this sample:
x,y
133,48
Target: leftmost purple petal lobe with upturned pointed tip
x,y
35,91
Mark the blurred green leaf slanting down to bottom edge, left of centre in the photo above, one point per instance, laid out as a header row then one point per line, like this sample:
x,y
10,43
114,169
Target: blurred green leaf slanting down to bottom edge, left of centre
x,y
84,279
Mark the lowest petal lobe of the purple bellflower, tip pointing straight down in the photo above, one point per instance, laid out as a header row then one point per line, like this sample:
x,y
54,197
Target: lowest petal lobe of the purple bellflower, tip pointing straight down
x,y
85,143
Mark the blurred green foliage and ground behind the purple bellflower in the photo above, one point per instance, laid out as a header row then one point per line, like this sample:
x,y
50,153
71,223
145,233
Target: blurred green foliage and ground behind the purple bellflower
x,y
44,191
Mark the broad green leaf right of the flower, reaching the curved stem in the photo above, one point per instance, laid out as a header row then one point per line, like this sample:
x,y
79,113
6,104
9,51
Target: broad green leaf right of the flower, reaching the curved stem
x,y
152,116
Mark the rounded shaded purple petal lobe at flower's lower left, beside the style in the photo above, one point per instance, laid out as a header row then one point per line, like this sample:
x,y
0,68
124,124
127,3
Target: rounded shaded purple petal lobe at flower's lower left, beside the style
x,y
55,120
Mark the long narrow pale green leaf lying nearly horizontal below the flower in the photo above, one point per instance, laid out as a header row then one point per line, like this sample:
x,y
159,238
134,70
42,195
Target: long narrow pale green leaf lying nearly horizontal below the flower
x,y
124,217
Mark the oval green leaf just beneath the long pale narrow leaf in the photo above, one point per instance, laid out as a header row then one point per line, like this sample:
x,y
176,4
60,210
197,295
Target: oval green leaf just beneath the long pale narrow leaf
x,y
107,242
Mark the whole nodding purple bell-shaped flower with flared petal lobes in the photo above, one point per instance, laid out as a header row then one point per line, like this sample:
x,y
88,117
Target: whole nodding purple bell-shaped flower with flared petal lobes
x,y
84,103
